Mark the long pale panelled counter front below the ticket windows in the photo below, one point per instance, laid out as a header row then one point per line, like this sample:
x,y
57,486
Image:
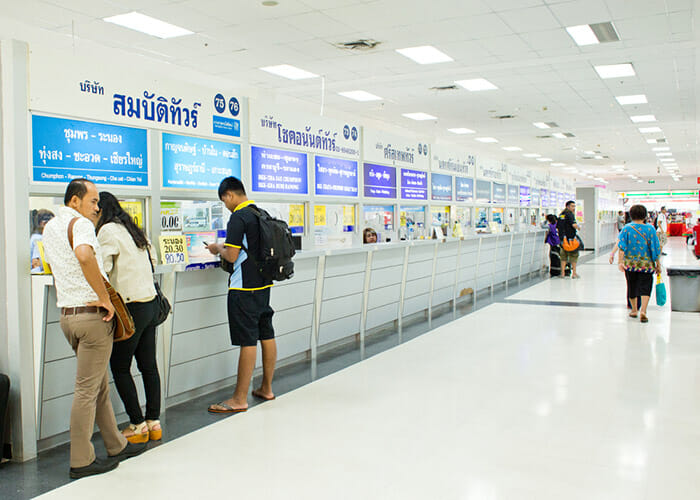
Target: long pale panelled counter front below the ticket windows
x,y
335,296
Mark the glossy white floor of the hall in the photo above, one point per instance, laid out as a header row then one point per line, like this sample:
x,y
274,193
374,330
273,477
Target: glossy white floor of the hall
x,y
552,393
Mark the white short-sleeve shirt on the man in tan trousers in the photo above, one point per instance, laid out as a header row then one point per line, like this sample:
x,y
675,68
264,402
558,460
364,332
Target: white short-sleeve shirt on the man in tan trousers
x,y
72,289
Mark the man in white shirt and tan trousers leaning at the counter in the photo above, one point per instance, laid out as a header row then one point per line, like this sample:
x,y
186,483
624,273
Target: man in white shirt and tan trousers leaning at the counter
x,y
86,321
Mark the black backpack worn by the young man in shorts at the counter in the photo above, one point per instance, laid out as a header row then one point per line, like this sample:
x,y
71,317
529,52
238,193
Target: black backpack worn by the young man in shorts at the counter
x,y
276,248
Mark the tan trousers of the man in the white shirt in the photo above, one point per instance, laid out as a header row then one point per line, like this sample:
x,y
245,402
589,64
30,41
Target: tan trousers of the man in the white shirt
x,y
91,339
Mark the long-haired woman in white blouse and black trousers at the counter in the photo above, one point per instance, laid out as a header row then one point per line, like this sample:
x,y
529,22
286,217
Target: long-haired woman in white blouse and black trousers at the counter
x,y
125,250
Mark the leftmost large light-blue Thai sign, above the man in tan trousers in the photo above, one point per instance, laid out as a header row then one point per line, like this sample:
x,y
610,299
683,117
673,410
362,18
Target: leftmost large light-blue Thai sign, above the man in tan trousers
x,y
64,150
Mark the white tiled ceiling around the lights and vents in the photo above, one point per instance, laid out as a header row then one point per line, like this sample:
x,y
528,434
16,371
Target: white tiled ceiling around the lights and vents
x,y
519,45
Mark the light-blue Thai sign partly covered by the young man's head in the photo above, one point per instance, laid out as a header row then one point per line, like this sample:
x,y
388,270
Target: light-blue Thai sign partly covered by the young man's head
x,y
196,163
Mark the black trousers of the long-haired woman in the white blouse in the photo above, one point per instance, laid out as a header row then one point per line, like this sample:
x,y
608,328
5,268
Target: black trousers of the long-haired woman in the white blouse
x,y
142,346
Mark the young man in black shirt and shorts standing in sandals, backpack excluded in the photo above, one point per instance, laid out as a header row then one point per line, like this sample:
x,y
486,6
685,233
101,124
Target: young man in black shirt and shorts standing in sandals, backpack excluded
x,y
249,311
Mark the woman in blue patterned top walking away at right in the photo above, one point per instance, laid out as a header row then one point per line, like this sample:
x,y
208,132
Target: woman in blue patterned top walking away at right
x,y
639,256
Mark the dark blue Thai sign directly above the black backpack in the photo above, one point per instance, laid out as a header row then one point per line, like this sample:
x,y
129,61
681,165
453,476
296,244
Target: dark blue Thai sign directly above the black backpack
x,y
278,171
